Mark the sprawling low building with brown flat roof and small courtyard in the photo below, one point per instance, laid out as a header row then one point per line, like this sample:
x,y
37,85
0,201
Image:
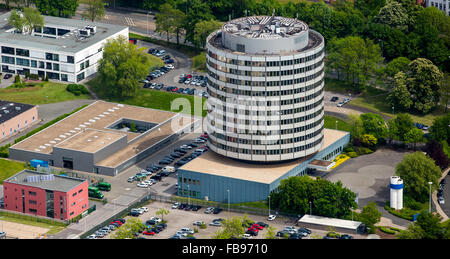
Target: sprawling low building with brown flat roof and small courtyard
x,y
99,138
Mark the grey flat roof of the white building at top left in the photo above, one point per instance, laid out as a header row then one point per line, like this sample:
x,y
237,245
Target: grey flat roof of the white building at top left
x,y
67,43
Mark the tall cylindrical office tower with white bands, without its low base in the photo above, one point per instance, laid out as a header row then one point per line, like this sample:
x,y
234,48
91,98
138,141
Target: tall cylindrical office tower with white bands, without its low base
x,y
265,85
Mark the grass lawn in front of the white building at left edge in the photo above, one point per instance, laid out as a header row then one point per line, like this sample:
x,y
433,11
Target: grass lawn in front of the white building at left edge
x,y
42,93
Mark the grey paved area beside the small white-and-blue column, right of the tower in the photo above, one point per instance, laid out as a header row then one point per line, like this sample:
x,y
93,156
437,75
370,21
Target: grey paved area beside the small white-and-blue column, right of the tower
x,y
369,176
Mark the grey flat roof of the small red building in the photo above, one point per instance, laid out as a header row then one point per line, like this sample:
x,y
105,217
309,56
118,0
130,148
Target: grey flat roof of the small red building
x,y
59,183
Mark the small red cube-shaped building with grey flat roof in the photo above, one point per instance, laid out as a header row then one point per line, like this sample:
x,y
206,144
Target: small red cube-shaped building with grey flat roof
x,y
53,196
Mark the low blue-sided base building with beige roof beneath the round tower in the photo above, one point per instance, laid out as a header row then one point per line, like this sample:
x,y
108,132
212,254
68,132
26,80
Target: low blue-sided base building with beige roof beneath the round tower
x,y
210,175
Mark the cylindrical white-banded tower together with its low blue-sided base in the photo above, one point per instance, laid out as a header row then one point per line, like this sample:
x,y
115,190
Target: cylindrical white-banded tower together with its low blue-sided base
x,y
265,119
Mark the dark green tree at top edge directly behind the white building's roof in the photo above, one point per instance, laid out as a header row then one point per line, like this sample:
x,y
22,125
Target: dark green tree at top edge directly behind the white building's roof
x,y
60,8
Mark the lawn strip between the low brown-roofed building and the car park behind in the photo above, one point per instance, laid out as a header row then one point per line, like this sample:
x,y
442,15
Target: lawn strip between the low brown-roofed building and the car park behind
x,y
159,99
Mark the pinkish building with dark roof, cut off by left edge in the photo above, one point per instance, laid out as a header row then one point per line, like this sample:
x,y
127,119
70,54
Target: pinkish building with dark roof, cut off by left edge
x,y
16,117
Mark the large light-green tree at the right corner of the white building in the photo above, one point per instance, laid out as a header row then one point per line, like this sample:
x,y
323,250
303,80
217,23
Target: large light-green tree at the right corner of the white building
x,y
121,67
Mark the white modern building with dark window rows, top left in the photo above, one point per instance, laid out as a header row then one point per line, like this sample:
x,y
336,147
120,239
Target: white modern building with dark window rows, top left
x,y
67,50
